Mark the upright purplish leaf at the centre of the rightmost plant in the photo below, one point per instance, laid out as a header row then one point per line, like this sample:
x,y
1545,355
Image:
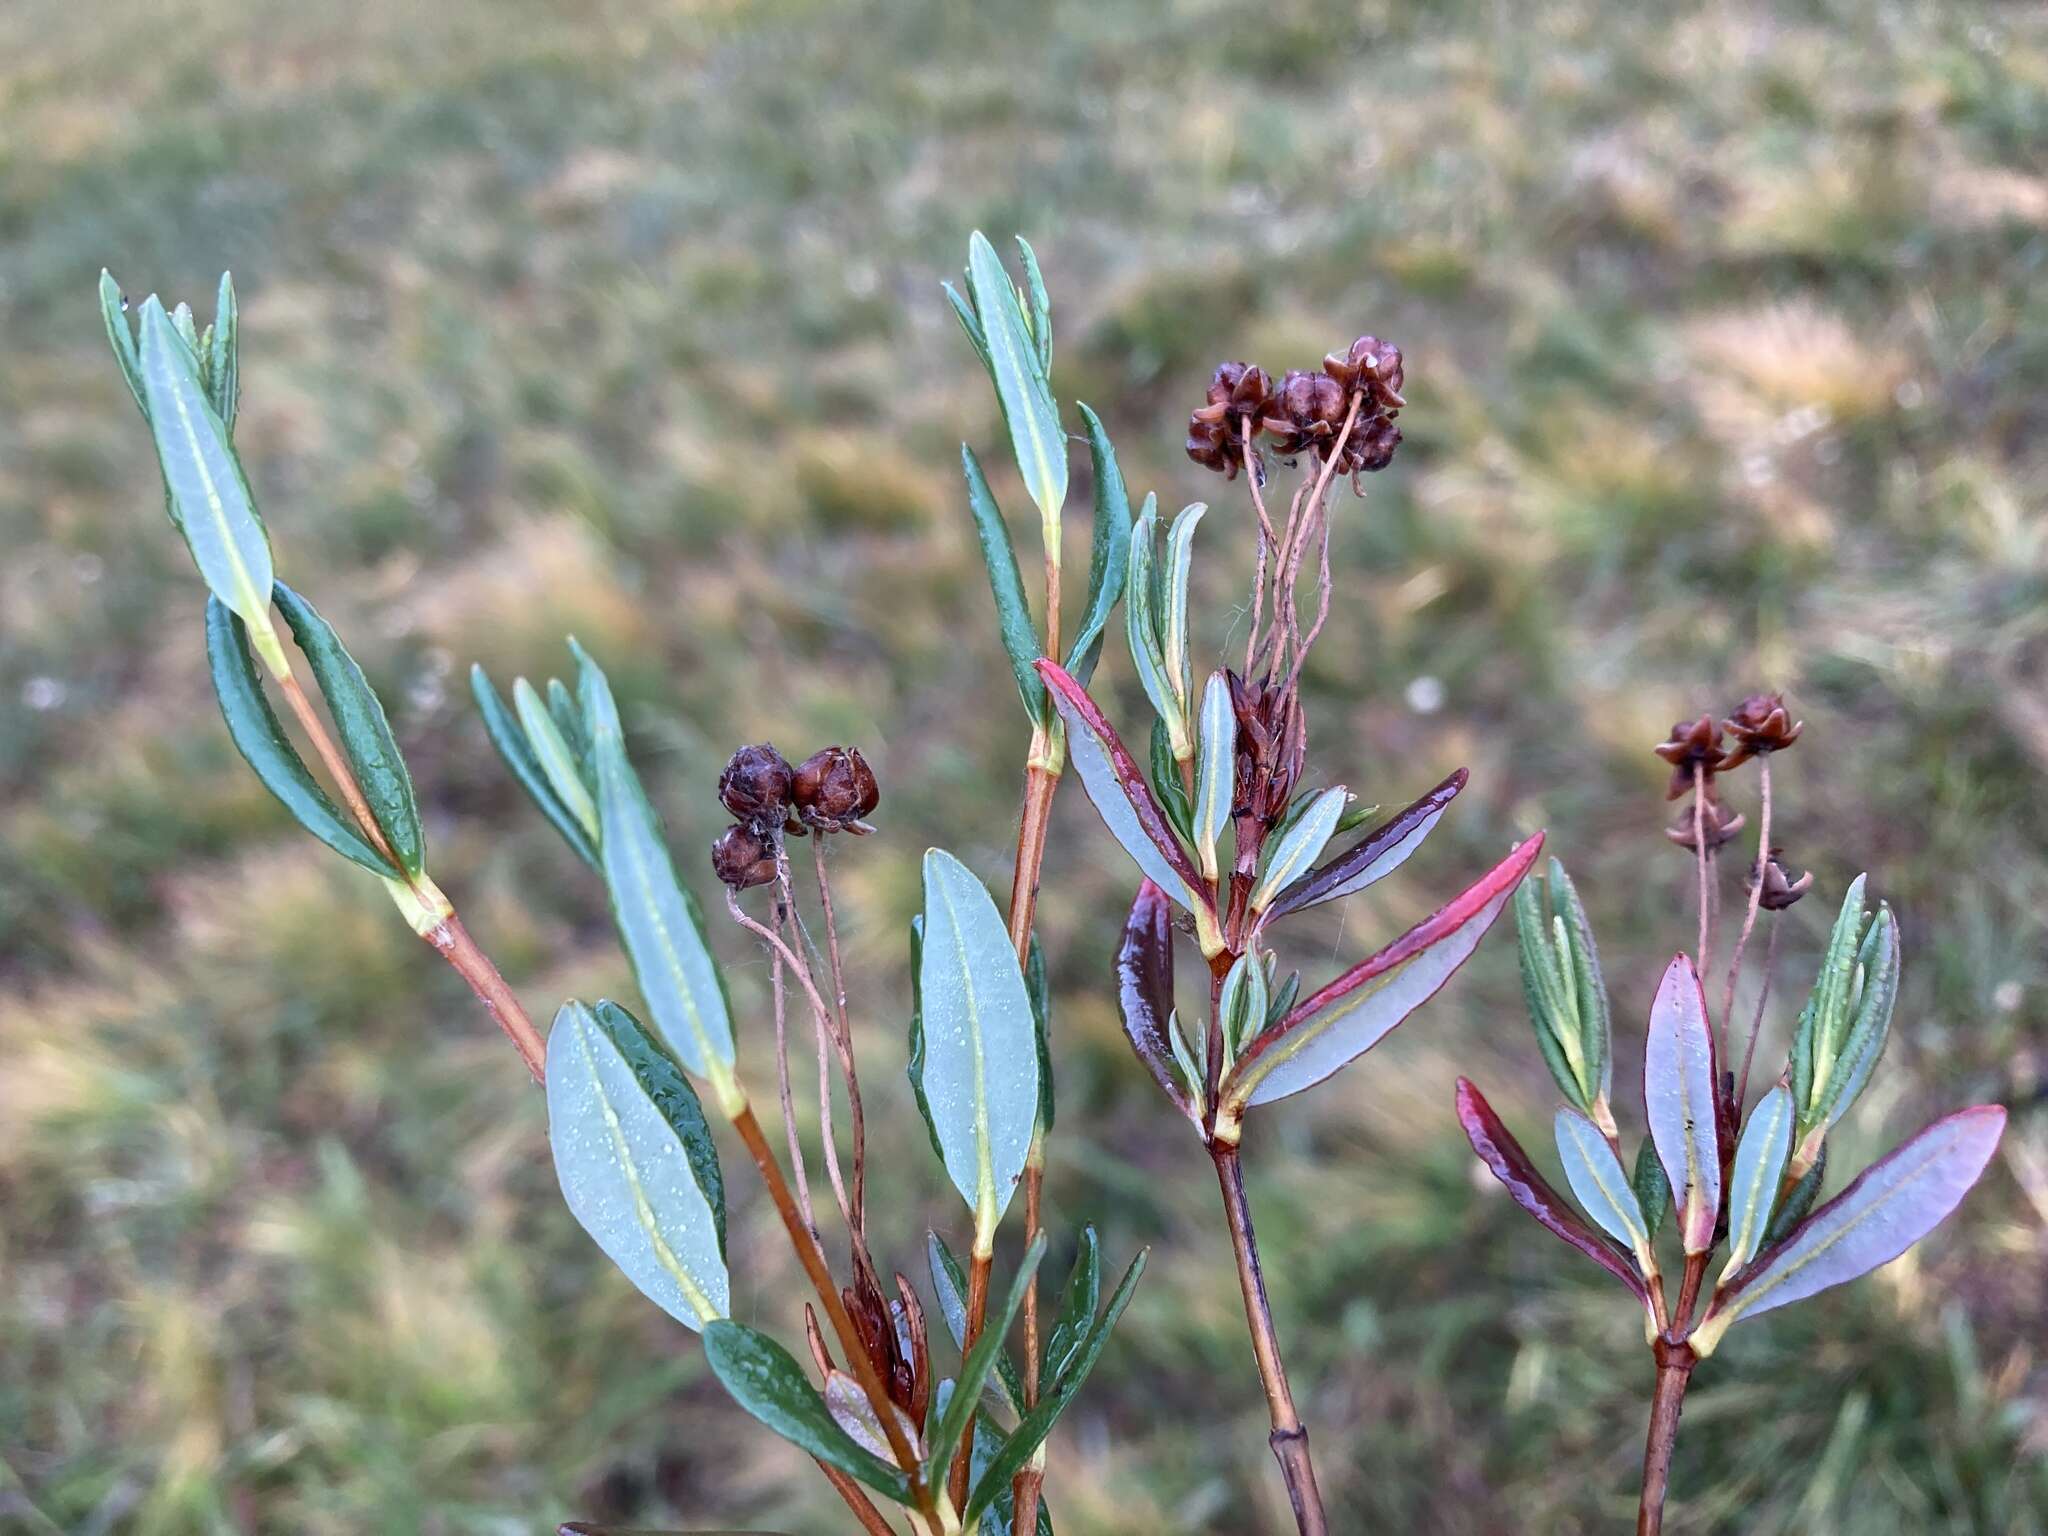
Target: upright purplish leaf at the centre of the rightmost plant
x,y
1682,1105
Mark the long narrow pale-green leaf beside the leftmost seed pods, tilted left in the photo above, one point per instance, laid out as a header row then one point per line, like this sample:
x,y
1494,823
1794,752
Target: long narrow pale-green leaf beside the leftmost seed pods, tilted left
x,y
658,921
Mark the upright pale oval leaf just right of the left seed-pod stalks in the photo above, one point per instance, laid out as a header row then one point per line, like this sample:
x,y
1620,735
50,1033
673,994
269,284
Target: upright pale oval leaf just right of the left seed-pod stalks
x,y
980,1043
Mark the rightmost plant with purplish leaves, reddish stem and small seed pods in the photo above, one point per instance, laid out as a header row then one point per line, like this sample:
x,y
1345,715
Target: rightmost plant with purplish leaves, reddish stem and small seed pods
x,y
1734,1183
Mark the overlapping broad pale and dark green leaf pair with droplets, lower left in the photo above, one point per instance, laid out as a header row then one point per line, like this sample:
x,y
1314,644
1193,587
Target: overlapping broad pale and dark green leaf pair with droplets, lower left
x,y
636,1160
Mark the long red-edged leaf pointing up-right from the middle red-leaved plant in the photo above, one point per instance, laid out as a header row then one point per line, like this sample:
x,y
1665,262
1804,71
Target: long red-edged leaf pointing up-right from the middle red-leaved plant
x,y
1357,1011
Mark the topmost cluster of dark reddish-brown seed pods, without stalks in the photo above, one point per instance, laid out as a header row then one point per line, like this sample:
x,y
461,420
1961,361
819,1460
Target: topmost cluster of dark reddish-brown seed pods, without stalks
x,y
1304,413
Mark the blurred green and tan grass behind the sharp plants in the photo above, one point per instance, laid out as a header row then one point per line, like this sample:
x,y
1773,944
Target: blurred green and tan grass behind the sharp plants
x,y
1727,341
